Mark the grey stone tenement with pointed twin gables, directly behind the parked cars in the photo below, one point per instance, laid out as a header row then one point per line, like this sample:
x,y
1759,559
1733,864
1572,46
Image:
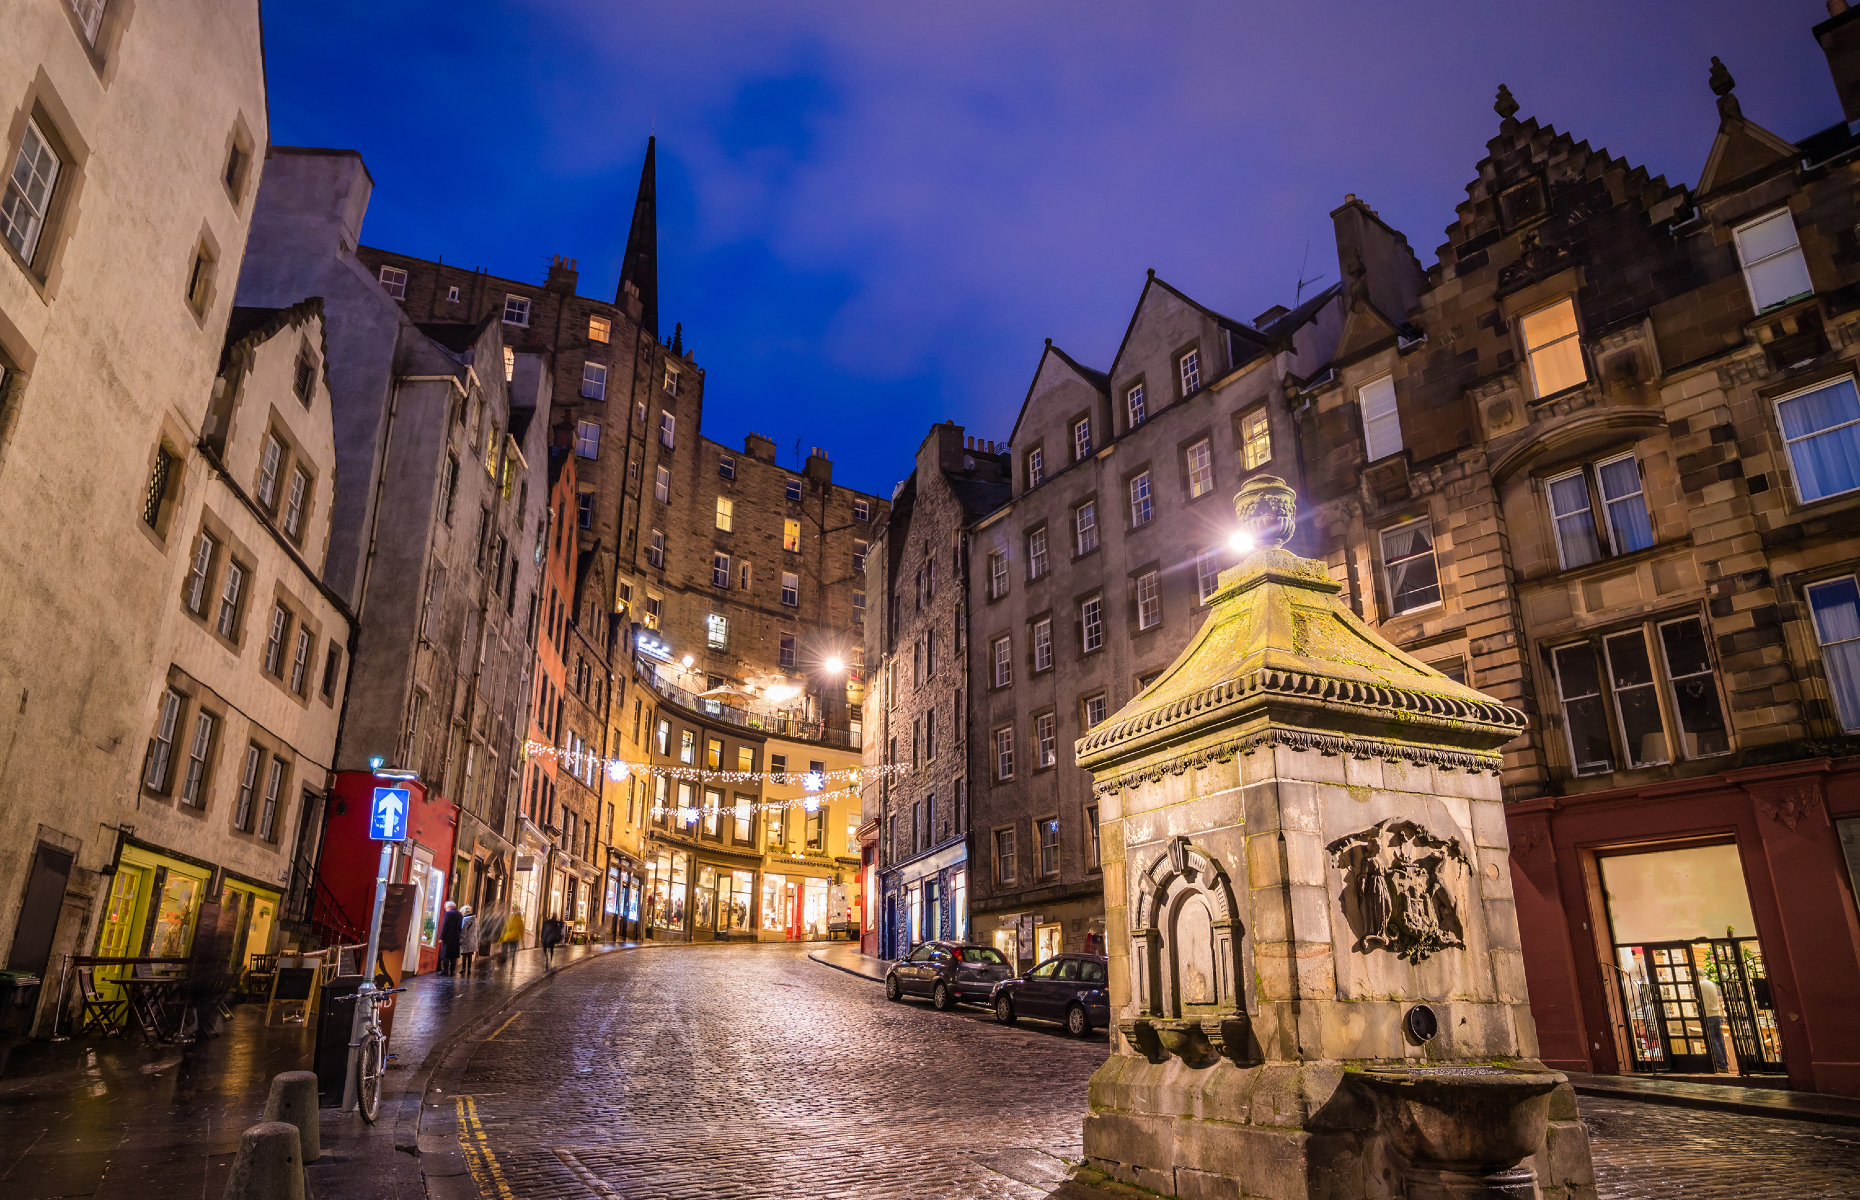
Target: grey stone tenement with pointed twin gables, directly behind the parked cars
x,y
1100,570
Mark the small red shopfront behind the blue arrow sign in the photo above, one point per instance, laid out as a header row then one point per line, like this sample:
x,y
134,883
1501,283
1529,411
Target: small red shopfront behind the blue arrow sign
x,y
352,859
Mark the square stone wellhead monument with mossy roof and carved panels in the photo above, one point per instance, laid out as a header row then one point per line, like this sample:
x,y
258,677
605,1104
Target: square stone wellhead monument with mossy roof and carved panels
x,y
1314,952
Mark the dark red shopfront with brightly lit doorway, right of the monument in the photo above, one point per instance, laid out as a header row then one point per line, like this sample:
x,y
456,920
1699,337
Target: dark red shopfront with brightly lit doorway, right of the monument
x,y
1699,927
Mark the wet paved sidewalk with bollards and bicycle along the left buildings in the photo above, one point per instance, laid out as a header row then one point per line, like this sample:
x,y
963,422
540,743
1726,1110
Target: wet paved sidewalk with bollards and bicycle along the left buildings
x,y
113,1117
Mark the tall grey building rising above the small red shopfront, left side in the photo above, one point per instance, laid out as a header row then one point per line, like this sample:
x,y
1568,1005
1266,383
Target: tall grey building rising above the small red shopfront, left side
x,y
440,446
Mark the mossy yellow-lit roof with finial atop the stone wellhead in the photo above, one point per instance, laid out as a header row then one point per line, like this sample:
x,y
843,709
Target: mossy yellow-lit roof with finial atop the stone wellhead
x,y
1284,661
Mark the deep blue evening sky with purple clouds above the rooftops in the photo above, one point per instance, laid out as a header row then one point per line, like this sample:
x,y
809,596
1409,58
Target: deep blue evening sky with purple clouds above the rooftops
x,y
870,217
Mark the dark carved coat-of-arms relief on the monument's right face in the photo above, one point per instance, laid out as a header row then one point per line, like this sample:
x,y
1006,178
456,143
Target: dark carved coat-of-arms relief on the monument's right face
x,y
1403,888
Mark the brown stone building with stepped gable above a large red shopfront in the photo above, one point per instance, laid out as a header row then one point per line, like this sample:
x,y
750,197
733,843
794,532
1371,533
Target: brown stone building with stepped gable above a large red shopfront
x,y
1608,468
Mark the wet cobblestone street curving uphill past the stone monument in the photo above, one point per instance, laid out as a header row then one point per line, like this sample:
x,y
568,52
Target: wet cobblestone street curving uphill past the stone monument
x,y
754,1073
